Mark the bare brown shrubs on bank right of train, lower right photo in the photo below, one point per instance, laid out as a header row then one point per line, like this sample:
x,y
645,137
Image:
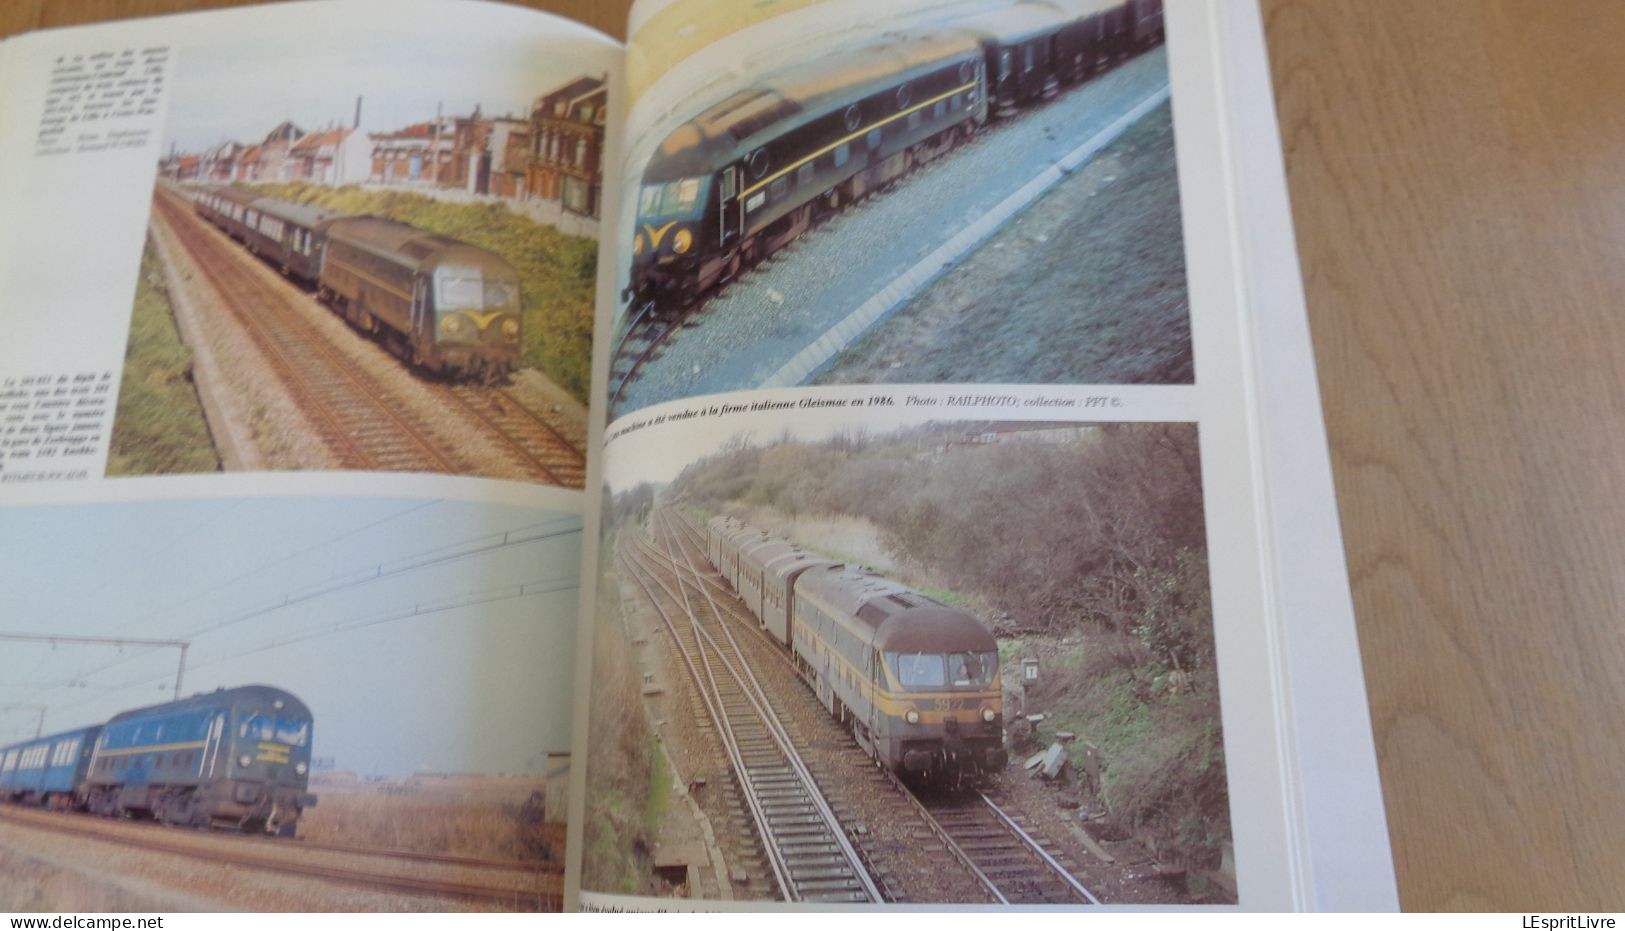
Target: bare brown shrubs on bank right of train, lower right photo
x,y
1090,547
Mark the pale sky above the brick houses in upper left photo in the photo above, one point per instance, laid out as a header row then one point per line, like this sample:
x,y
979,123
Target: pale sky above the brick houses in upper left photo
x,y
240,90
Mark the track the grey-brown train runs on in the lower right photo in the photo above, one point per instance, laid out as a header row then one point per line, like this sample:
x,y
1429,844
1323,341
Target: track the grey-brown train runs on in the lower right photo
x,y
1012,862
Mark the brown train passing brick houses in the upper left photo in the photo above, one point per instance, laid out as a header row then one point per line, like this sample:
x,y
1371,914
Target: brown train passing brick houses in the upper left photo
x,y
440,303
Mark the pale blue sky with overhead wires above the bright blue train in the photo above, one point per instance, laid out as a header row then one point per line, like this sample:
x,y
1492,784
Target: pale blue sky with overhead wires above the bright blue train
x,y
436,662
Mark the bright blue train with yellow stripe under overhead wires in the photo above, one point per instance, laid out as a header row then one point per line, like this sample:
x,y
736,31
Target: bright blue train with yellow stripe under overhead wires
x,y
233,758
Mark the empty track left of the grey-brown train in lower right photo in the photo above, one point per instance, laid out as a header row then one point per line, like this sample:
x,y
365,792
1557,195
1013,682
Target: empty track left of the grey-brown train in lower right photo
x,y
805,846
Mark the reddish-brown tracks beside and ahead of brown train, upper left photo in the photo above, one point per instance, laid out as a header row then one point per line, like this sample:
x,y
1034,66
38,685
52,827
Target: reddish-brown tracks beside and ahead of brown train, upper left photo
x,y
357,417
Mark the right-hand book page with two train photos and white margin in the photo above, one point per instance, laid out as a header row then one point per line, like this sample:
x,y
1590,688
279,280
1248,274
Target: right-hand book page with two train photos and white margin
x,y
935,558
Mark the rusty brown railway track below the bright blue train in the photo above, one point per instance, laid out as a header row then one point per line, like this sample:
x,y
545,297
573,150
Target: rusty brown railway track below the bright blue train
x,y
392,870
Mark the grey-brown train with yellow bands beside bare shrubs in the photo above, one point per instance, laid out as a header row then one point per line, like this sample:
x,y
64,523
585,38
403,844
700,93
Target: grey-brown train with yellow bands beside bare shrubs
x,y
914,680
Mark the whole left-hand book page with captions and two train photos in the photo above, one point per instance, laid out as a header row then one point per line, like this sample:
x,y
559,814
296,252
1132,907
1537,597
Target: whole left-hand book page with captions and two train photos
x,y
293,431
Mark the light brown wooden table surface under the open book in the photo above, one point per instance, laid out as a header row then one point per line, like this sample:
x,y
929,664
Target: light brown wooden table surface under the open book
x,y
1458,184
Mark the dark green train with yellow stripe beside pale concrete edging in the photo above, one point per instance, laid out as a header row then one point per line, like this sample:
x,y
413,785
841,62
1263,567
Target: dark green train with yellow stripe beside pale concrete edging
x,y
755,171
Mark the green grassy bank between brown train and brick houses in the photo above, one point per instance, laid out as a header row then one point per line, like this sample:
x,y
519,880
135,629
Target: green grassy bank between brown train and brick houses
x,y
557,269
